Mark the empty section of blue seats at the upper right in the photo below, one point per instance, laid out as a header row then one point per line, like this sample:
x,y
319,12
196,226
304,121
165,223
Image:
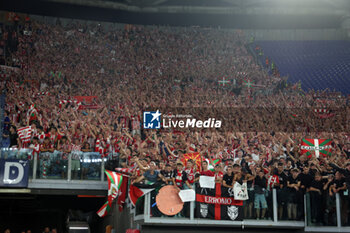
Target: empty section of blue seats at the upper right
x,y
317,64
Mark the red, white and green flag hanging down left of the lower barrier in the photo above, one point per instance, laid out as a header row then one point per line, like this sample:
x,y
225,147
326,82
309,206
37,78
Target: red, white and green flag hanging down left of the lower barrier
x,y
114,183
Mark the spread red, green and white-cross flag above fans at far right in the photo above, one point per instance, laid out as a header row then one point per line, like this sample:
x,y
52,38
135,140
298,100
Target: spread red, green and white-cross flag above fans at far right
x,y
316,146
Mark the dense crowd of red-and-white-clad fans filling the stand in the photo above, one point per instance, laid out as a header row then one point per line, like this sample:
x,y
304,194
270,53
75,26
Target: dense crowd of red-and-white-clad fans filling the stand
x,y
131,70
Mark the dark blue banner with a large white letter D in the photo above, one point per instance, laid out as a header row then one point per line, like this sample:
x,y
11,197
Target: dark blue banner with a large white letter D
x,y
14,173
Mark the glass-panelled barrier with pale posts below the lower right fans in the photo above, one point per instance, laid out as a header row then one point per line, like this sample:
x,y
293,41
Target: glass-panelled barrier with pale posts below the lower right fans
x,y
331,218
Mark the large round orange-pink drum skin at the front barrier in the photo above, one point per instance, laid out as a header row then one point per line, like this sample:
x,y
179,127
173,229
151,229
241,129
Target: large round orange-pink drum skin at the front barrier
x,y
168,200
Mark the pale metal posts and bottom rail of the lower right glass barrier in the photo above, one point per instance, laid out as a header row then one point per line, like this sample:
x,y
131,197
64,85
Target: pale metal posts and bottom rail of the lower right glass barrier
x,y
146,216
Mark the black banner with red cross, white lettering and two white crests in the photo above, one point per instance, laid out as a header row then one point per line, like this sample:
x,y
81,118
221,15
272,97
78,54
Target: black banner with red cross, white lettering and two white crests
x,y
218,204
